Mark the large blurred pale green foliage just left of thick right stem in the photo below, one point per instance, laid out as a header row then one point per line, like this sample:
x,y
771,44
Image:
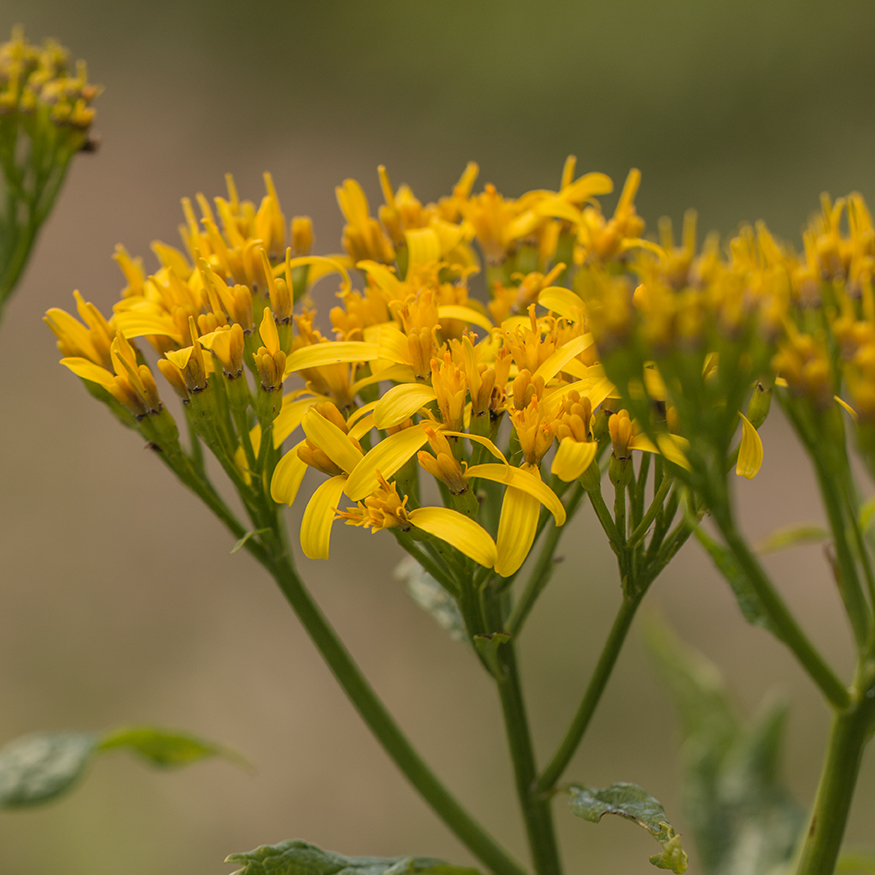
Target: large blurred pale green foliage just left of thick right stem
x,y
743,820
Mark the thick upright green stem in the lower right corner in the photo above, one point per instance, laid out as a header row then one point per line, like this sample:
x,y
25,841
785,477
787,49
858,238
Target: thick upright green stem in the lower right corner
x,y
822,842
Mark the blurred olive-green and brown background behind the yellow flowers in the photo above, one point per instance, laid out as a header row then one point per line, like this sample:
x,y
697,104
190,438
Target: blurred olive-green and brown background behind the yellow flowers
x,y
119,602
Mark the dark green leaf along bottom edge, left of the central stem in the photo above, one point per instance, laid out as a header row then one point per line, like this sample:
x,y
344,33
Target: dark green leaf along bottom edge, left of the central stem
x,y
296,857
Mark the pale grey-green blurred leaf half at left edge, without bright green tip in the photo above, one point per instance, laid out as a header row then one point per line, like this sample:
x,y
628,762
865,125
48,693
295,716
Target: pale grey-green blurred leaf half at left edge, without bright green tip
x,y
39,767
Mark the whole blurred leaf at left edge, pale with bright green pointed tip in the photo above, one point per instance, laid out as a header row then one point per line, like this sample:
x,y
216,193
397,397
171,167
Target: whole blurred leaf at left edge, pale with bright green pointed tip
x,y
39,767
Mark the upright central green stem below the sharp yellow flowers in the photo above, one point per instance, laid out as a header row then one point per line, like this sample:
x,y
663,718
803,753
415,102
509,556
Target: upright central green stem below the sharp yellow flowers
x,y
535,808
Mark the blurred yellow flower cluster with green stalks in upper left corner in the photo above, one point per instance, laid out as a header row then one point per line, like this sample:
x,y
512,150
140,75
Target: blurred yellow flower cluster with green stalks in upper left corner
x,y
45,119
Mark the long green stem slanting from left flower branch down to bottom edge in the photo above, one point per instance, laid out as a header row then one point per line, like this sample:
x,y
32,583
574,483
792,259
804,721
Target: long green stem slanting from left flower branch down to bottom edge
x,y
384,728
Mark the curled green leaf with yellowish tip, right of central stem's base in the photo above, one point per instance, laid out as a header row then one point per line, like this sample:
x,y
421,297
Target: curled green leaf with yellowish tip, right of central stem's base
x,y
636,804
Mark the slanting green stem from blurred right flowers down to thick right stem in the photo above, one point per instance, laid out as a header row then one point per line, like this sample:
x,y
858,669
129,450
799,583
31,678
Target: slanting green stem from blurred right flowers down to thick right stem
x,y
783,621
